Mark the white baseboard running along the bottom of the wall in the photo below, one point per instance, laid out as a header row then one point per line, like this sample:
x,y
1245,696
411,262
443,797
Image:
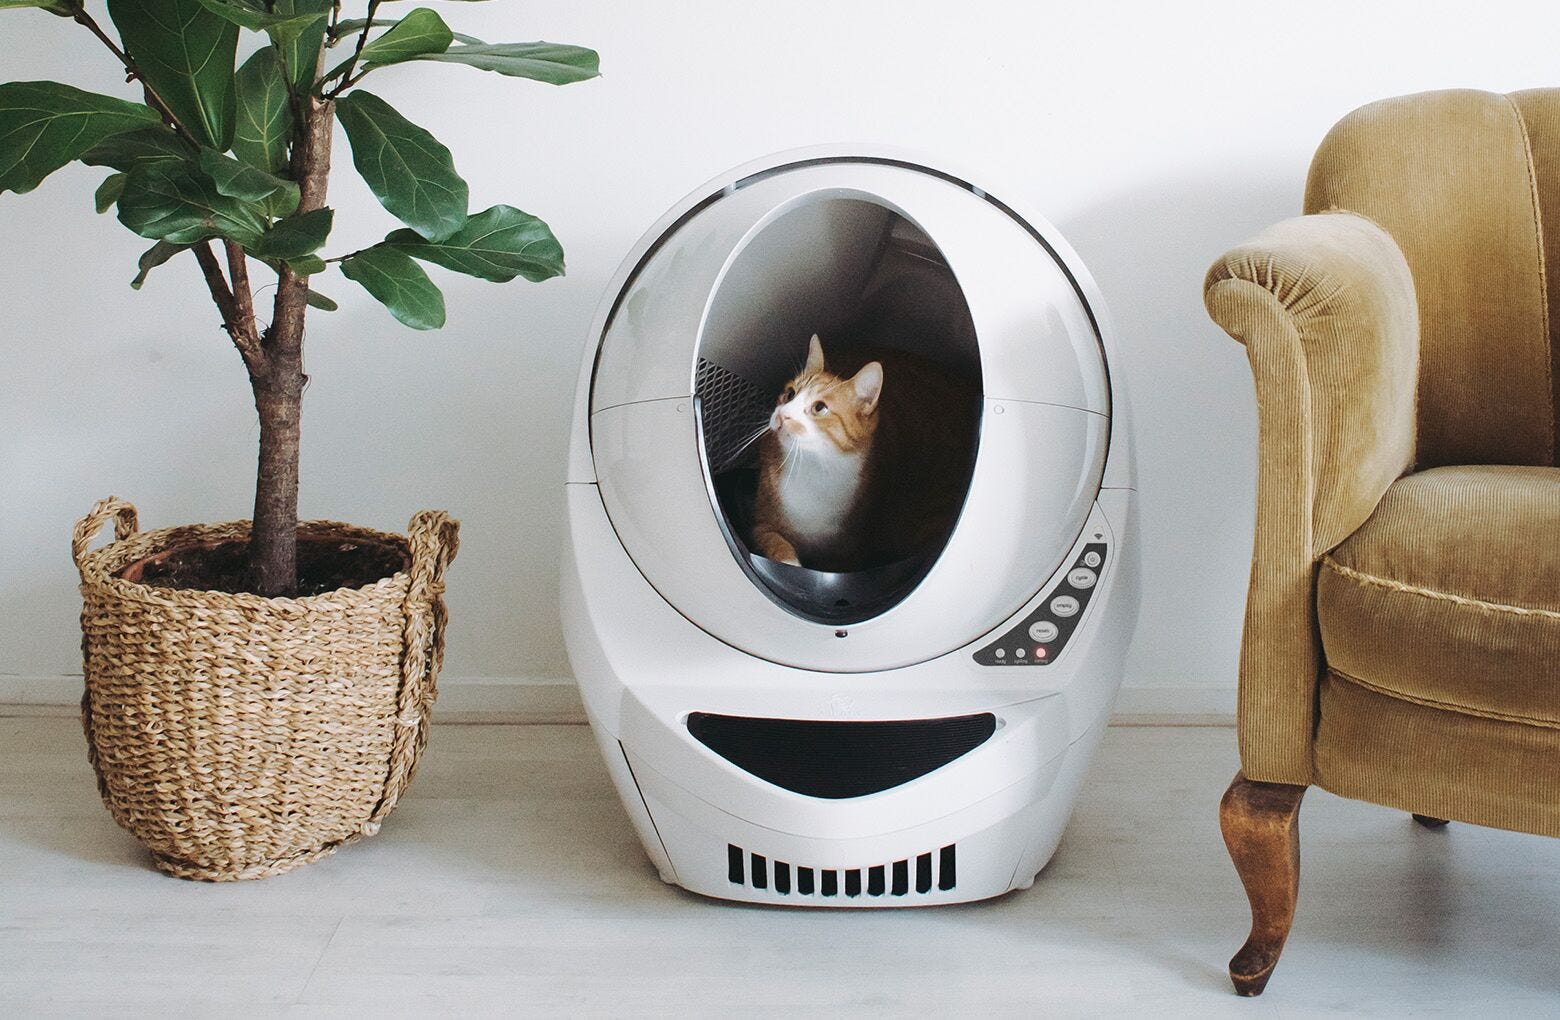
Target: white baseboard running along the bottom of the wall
x,y
558,701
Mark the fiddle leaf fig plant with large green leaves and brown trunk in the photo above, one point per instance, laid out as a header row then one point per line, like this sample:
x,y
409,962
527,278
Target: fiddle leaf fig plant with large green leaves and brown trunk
x,y
230,161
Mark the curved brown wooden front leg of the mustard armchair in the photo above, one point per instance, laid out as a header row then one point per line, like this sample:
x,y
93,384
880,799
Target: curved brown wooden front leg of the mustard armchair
x,y
1261,826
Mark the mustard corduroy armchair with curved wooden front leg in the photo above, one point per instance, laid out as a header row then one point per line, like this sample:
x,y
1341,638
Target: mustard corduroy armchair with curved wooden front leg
x,y
1403,625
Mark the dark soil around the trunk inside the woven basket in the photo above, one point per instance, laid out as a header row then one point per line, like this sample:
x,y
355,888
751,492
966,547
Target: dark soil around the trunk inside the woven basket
x,y
324,565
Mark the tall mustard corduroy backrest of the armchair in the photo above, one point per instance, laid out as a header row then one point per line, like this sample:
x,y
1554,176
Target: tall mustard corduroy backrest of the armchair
x,y
1469,185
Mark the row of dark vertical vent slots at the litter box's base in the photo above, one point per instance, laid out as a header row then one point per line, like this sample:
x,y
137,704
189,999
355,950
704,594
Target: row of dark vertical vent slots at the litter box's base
x,y
896,879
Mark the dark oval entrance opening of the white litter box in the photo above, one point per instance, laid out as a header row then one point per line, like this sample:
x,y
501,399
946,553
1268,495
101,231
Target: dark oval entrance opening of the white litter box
x,y
874,288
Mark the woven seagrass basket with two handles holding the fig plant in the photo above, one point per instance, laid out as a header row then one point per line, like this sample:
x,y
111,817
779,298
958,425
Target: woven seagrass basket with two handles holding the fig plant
x,y
239,737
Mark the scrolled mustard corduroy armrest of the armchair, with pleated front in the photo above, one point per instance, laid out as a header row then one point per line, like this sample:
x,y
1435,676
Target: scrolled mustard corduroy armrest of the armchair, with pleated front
x,y
1327,310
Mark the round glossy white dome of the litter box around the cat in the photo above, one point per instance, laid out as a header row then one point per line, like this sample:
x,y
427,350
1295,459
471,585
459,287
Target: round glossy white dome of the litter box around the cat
x,y
714,321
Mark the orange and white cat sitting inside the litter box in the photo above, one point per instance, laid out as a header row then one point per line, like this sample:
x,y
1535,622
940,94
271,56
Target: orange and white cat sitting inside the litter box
x,y
867,461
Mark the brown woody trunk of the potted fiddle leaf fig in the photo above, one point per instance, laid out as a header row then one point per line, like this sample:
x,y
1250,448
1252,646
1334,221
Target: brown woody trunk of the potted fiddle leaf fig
x,y
280,383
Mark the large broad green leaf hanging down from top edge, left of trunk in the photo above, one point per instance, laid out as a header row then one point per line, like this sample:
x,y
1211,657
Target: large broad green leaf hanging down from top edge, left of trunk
x,y
185,52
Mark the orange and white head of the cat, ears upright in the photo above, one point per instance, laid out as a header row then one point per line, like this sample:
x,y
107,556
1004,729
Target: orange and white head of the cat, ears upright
x,y
821,413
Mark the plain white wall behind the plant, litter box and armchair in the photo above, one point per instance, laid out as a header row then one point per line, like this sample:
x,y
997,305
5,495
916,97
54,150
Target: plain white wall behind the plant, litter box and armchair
x,y
1155,135
